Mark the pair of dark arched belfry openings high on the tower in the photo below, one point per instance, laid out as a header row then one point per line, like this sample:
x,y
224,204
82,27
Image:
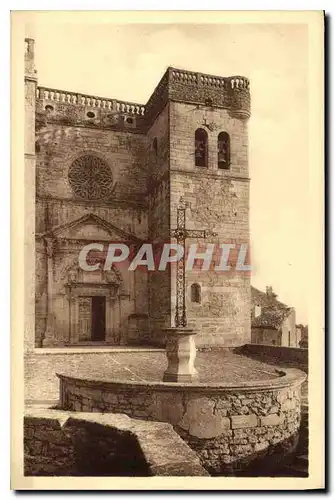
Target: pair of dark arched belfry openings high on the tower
x,y
201,149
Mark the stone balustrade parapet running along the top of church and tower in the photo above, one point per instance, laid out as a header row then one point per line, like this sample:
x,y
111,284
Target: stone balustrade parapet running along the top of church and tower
x,y
231,93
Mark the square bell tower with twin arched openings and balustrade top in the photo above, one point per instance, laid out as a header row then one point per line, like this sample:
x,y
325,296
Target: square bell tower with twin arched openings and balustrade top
x,y
207,177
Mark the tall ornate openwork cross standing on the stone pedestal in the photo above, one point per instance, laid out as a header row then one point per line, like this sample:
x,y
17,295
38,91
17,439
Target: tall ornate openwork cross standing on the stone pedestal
x,y
181,233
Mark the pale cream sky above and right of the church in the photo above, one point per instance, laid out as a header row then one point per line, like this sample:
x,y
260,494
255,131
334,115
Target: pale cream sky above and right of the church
x,y
126,61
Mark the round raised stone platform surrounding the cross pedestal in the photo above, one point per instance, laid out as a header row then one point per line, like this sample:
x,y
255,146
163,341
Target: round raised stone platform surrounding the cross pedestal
x,y
239,411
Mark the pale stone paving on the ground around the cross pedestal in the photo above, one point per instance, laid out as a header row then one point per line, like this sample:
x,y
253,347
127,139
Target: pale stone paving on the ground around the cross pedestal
x,y
42,385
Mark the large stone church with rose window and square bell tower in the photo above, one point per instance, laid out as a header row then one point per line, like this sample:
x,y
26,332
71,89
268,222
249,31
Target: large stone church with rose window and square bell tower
x,y
111,171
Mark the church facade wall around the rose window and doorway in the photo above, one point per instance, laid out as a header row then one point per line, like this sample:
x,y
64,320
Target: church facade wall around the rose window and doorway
x,y
57,205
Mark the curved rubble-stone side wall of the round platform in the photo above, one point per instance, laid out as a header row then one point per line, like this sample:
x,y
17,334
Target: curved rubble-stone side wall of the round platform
x,y
228,427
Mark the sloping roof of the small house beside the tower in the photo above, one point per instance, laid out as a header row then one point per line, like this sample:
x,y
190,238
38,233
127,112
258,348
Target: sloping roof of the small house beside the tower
x,y
273,312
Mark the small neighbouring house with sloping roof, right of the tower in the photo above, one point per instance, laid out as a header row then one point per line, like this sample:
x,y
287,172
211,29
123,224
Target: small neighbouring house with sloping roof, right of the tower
x,y
272,322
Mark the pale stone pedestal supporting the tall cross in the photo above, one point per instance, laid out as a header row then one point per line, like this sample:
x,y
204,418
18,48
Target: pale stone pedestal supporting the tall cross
x,y
181,353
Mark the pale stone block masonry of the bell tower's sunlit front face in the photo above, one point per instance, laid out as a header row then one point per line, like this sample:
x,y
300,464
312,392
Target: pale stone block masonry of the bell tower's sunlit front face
x,y
217,200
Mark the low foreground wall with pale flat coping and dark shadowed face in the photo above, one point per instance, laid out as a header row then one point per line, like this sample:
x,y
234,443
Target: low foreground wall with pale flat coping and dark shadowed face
x,y
59,444
